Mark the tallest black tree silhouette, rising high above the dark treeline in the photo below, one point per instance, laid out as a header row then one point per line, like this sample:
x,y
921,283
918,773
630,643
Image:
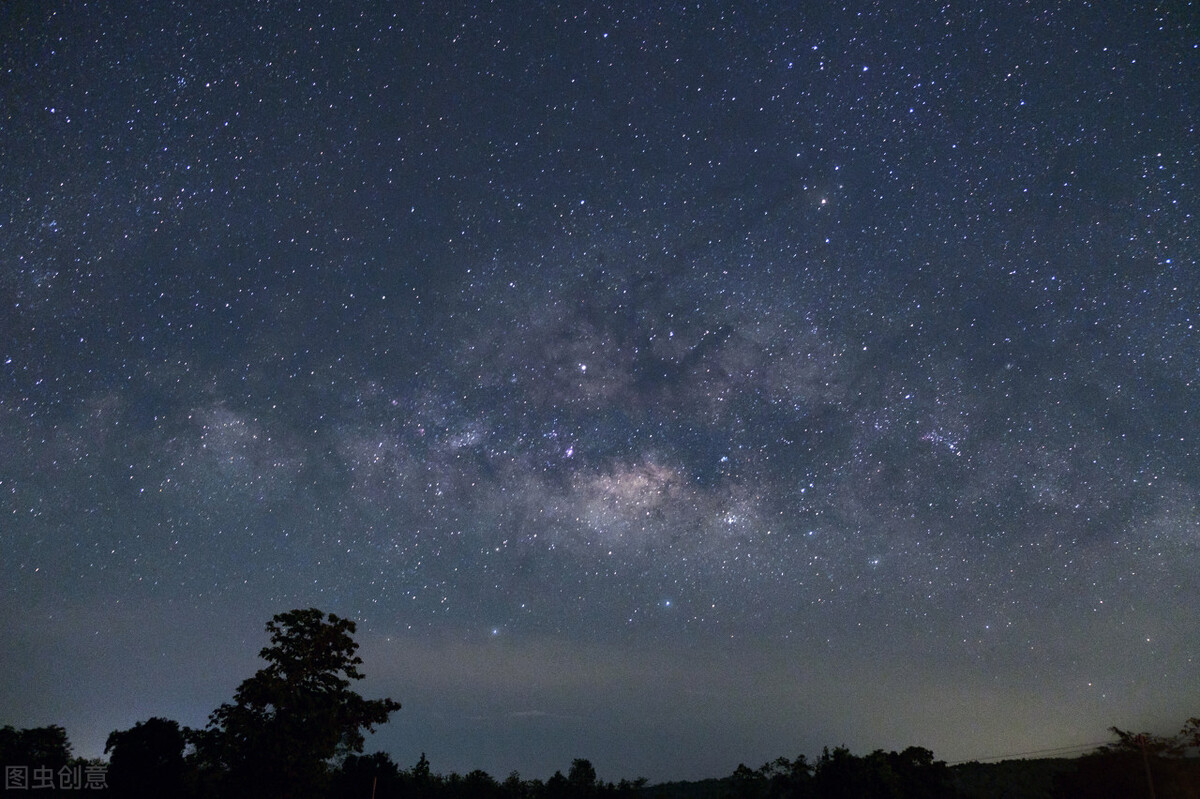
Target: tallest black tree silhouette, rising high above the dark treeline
x,y
293,717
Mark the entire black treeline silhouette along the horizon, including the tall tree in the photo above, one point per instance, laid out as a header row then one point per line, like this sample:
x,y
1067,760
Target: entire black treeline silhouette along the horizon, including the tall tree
x,y
296,730
